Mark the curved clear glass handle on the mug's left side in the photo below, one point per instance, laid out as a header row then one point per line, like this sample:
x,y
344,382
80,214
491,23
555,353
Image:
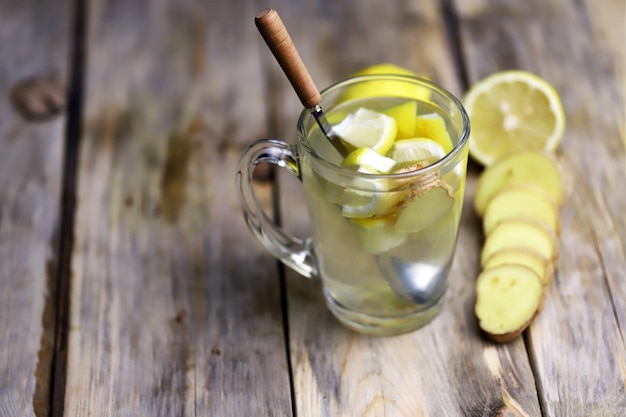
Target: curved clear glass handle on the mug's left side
x,y
292,251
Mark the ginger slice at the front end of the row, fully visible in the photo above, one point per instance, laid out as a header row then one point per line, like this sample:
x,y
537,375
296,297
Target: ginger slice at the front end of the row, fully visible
x,y
507,299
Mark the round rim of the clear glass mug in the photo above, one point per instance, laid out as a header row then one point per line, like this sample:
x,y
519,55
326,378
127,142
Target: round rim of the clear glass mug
x,y
407,78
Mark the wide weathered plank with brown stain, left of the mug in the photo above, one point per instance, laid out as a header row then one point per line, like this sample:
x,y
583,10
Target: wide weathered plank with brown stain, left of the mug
x,y
175,309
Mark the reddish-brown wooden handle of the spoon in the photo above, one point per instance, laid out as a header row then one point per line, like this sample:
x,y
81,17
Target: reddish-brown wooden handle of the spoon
x,y
278,40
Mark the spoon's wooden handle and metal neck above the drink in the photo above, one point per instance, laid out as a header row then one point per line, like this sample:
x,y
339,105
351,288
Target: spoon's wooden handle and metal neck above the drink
x,y
277,38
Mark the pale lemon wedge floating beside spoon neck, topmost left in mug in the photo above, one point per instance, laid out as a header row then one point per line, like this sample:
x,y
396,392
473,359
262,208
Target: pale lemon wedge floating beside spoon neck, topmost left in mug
x,y
367,128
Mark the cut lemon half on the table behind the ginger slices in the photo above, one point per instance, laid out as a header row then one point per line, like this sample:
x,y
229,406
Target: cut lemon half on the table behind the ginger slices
x,y
513,111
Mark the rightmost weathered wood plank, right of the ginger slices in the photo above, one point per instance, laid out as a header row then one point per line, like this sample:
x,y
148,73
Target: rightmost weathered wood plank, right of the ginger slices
x,y
577,342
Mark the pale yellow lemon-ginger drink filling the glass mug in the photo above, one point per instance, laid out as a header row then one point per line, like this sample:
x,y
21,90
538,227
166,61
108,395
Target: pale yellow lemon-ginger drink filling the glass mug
x,y
380,280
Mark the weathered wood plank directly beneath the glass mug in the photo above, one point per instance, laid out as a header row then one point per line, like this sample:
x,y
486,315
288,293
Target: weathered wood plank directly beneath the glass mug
x,y
445,368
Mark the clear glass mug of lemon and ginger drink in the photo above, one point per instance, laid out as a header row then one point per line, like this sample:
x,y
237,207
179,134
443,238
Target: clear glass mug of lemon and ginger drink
x,y
382,244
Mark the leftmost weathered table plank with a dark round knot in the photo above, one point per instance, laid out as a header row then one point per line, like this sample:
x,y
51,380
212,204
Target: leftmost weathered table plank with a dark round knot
x,y
34,43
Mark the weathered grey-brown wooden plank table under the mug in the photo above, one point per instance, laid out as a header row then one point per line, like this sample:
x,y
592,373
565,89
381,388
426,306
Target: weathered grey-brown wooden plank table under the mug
x,y
130,285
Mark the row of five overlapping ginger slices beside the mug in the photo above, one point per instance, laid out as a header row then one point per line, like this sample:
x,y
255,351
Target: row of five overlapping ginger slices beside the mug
x,y
518,198
